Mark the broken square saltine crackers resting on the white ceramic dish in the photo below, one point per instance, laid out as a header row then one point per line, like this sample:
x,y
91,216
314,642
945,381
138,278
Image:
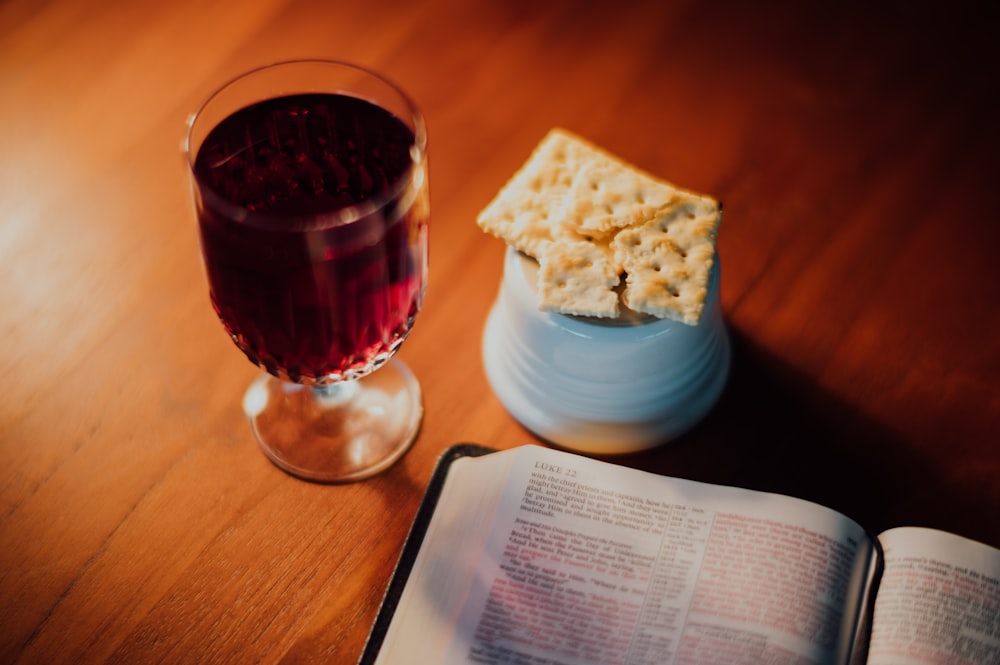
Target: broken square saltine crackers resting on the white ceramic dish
x,y
589,218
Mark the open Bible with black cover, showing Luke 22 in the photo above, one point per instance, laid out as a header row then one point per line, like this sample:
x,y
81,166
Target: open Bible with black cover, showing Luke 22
x,y
536,556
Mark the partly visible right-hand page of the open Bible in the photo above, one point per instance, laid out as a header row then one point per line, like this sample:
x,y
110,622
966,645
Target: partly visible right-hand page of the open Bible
x,y
938,601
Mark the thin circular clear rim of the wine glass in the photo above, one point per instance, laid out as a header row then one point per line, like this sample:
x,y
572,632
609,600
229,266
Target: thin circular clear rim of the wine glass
x,y
341,216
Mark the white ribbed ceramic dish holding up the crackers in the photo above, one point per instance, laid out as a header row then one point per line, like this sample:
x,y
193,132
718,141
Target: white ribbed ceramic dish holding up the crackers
x,y
601,386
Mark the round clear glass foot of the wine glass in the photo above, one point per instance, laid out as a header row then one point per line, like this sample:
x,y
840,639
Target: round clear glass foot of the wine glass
x,y
337,433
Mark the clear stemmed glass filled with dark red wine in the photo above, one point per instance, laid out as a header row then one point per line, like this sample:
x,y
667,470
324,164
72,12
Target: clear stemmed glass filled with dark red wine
x,y
309,180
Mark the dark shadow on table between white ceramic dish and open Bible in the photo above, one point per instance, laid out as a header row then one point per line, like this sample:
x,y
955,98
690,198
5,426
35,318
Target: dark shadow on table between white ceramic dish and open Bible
x,y
774,430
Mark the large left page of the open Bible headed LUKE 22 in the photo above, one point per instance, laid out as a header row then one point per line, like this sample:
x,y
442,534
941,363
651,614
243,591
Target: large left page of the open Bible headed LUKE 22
x,y
590,563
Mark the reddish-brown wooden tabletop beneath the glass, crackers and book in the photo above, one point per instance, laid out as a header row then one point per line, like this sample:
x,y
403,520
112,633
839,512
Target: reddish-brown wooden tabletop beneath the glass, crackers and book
x,y
854,147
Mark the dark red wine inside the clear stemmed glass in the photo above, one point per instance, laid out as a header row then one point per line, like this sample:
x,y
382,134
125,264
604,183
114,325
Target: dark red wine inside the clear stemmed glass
x,y
305,294
